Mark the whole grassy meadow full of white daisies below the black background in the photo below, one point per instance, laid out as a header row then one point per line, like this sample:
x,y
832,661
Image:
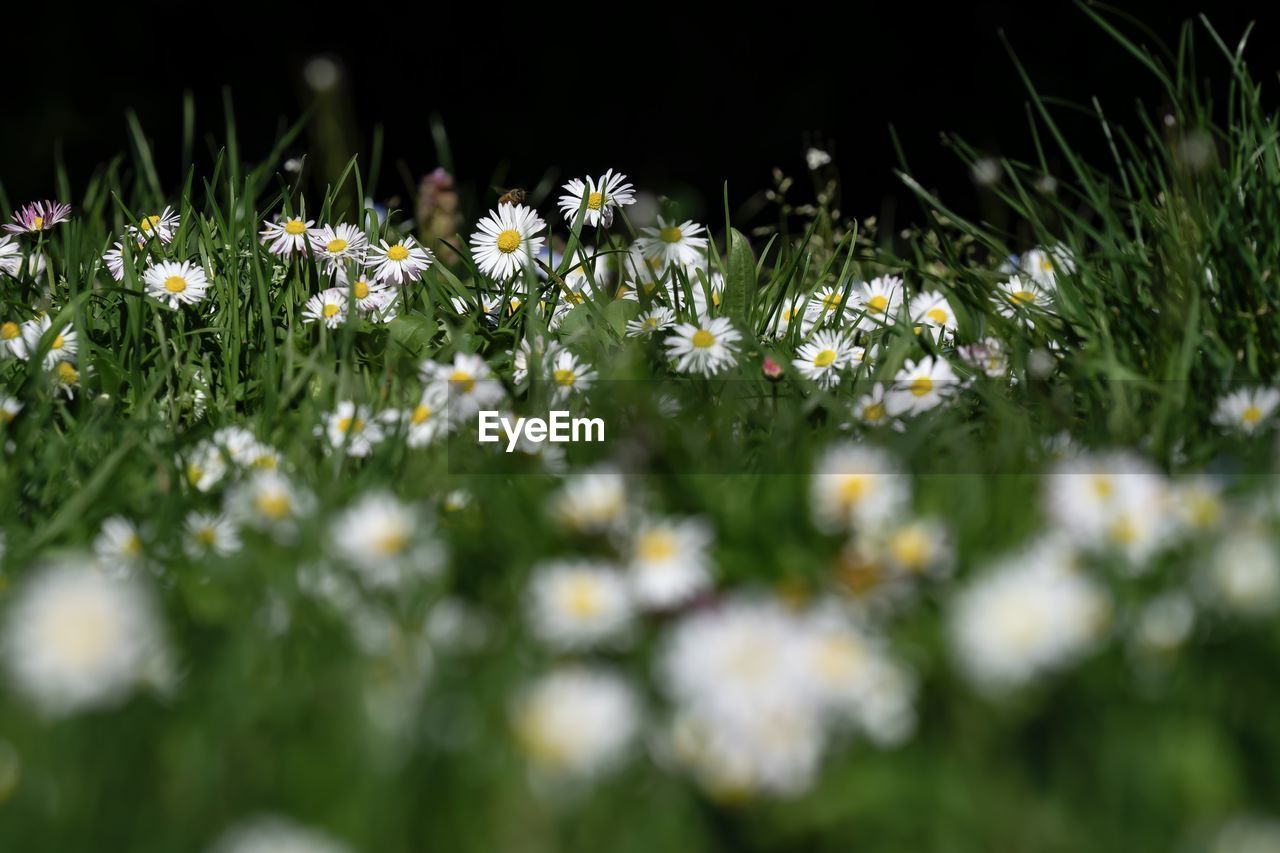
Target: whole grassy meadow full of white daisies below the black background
x,y
958,539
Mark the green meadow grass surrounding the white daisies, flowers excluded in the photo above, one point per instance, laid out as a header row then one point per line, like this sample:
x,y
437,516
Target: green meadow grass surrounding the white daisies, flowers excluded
x,y
277,706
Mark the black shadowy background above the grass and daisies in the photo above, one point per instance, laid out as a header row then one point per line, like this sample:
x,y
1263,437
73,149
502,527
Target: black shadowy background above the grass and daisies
x,y
678,98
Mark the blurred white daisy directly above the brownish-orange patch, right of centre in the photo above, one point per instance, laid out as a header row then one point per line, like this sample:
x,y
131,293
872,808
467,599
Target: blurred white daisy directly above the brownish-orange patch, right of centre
x,y
858,487
